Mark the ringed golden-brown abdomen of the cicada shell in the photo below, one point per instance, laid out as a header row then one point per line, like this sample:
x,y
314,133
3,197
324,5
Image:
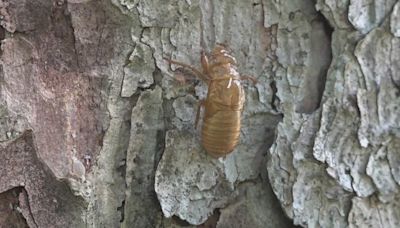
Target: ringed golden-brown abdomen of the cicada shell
x,y
220,132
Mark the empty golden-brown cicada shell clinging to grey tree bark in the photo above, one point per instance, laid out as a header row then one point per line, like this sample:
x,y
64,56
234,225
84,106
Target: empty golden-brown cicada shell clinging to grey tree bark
x,y
224,103
